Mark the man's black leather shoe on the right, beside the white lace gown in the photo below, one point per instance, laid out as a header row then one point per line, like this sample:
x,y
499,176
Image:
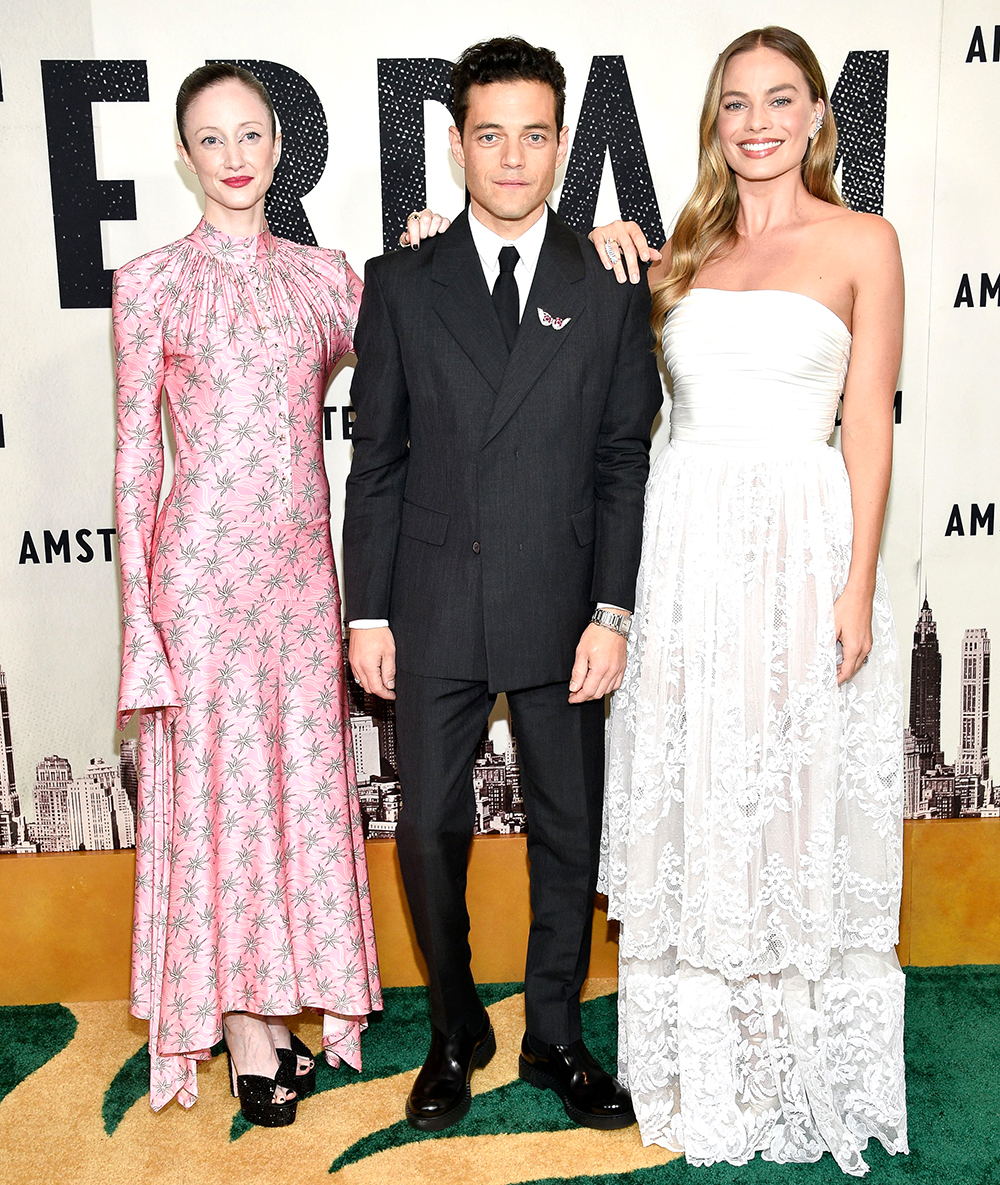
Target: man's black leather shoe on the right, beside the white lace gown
x,y
591,1097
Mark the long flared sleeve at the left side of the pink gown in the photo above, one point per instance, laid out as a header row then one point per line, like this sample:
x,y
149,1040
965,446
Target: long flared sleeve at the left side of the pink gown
x,y
139,472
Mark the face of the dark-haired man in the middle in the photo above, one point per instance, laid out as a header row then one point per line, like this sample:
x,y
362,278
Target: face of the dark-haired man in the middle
x,y
510,150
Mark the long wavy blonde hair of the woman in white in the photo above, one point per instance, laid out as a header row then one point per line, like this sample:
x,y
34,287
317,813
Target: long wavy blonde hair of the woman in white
x,y
707,226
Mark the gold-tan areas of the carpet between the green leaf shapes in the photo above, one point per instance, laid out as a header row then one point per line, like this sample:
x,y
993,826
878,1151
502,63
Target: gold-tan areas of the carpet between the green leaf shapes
x,y
53,1131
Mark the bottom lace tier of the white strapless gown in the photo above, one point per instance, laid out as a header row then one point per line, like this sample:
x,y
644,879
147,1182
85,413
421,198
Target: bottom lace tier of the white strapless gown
x,y
725,1069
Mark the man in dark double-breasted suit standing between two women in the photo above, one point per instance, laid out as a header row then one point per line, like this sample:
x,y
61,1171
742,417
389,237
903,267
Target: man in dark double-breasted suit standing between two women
x,y
505,394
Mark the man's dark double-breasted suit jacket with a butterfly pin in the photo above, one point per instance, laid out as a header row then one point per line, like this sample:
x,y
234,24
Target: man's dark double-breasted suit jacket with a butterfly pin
x,y
495,496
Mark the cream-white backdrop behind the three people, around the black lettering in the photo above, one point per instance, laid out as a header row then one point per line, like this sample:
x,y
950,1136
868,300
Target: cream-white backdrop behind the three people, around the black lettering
x,y
60,623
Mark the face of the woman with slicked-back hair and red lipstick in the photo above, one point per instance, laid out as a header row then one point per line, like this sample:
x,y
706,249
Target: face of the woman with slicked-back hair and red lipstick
x,y
230,146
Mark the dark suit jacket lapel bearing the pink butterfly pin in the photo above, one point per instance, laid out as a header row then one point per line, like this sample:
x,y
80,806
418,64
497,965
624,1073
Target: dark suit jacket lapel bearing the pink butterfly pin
x,y
557,290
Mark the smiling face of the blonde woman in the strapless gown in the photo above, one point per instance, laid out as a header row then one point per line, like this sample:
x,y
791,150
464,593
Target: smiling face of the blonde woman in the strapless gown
x,y
766,114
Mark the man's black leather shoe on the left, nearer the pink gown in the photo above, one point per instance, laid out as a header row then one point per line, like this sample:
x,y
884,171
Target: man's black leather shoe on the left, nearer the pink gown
x,y
441,1096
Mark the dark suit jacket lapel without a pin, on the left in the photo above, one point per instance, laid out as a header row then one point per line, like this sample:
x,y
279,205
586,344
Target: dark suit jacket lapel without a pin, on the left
x,y
465,304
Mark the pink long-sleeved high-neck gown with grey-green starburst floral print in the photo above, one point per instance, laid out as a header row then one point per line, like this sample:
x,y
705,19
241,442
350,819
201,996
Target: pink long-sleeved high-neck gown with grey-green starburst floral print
x,y
252,886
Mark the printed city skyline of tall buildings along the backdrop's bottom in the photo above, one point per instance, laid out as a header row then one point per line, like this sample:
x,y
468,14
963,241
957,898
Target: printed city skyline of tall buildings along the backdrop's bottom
x,y
94,806
